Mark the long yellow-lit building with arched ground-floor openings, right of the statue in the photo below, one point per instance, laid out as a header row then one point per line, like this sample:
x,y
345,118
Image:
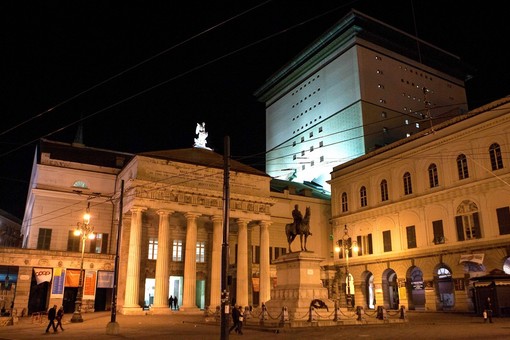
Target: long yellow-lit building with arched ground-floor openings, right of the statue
x,y
429,214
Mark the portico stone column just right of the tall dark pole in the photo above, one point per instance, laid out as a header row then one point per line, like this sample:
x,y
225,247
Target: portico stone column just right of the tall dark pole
x,y
242,263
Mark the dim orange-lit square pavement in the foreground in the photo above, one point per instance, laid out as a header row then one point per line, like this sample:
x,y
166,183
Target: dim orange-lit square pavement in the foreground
x,y
418,325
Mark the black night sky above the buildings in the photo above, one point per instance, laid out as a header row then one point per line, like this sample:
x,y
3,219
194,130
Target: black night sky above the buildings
x,y
142,74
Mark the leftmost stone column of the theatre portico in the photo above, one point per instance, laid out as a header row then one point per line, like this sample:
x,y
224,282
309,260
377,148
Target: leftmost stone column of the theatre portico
x,y
132,298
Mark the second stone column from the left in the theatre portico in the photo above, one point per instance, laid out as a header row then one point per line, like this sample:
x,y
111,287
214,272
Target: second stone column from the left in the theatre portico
x,y
161,290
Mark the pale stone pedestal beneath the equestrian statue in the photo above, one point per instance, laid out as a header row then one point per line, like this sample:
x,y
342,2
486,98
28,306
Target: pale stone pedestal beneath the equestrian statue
x,y
299,283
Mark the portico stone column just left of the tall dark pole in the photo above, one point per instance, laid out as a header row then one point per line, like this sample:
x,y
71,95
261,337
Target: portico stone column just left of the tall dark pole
x,y
215,295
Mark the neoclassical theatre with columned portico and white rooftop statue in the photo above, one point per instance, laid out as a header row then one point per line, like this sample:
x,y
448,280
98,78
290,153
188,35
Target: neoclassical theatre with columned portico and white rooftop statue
x,y
171,229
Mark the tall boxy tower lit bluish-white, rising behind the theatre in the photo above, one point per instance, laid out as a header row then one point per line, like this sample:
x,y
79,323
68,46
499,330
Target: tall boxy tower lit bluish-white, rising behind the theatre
x,y
359,86
